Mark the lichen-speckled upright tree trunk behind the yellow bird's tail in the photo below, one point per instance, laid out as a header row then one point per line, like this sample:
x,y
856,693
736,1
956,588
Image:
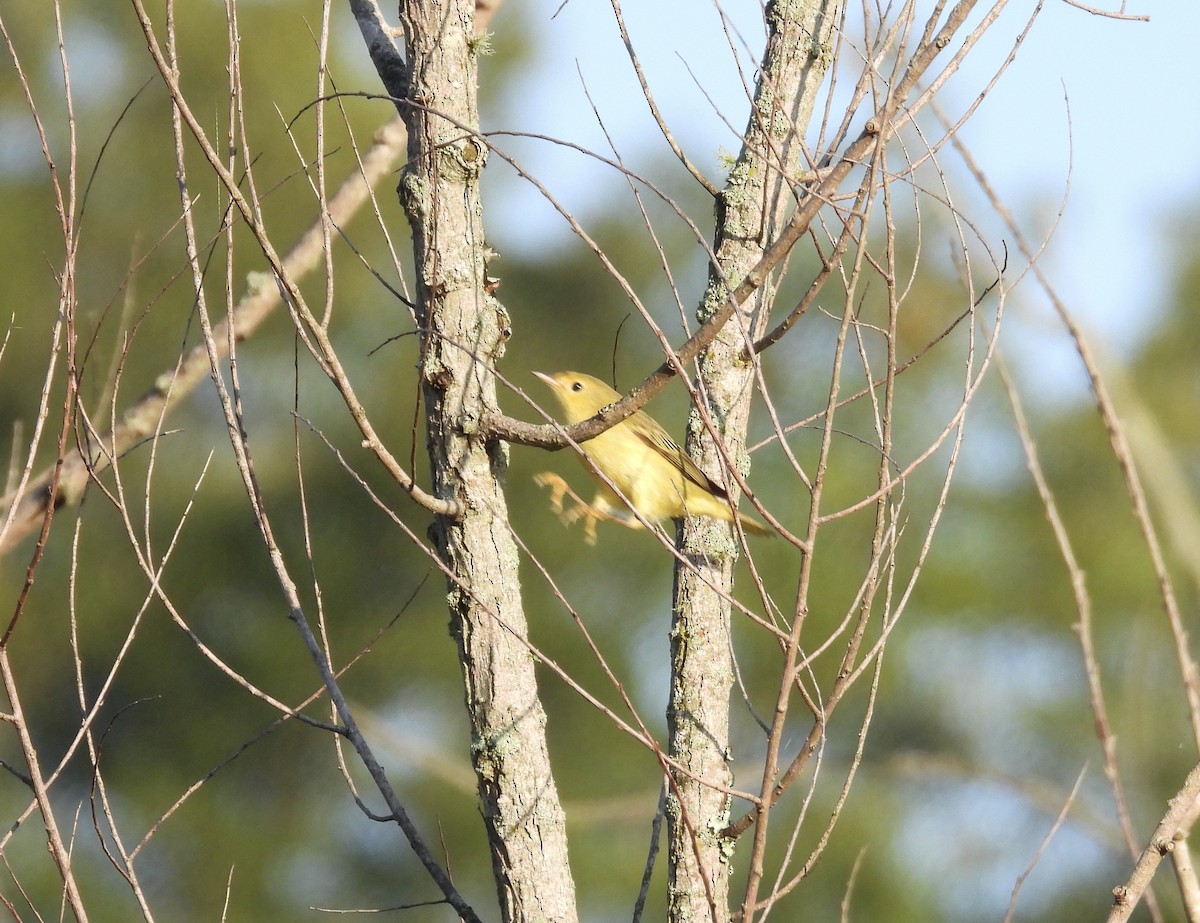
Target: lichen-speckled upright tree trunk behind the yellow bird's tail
x,y
754,207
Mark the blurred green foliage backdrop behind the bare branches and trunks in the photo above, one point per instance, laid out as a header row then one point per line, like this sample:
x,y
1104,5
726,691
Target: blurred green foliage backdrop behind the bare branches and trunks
x,y
983,722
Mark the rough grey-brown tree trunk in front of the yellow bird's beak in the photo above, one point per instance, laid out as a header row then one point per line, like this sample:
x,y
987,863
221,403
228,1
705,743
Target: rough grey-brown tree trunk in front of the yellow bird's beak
x,y
465,333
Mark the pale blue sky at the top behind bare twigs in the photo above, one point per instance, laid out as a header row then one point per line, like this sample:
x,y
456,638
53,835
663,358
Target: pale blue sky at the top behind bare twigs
x,y
1132,121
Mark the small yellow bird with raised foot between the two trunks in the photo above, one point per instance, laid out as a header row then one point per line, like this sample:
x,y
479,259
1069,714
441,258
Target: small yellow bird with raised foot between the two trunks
x,y
638,455
